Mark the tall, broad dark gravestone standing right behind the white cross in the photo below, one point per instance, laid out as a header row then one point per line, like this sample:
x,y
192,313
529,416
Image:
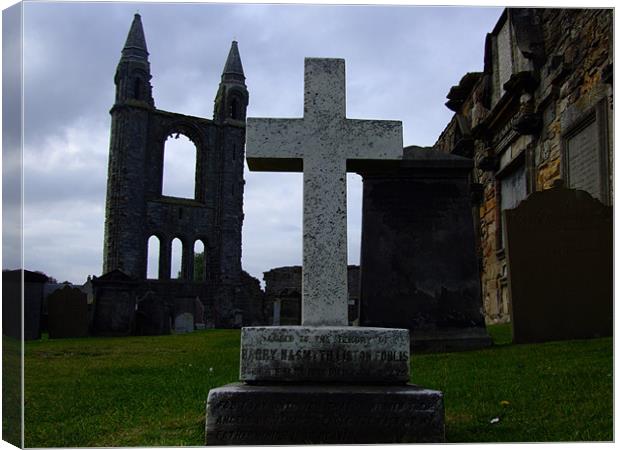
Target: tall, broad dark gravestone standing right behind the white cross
x,y
419,268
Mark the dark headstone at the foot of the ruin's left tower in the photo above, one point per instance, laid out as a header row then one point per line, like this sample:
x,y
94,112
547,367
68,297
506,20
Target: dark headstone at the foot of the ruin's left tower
x,y
115,304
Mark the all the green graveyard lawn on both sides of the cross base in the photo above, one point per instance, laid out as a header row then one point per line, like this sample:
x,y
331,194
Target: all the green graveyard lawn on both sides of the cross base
x,y
151,391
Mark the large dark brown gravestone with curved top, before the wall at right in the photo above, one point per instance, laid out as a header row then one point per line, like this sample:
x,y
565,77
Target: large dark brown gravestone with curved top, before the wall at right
x,y
560,263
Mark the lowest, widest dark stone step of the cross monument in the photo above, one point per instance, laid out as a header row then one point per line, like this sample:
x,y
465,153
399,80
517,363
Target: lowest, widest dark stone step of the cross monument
x,y
241,414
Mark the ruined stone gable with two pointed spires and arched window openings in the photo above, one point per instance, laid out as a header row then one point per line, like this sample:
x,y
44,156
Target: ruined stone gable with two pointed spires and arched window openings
x,y
137,209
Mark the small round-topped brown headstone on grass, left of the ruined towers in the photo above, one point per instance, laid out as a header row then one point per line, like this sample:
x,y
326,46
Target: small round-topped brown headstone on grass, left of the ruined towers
x,y
67,313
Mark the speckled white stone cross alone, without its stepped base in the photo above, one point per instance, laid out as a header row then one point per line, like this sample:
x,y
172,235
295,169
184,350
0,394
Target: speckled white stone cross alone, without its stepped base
x,y
324,144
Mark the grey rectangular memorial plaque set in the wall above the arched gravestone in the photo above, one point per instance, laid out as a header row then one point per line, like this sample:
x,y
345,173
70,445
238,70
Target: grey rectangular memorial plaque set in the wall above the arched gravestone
x,y
583,160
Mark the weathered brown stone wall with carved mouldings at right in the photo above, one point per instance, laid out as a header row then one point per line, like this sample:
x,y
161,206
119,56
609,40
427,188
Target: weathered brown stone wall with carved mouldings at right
x,y
539,114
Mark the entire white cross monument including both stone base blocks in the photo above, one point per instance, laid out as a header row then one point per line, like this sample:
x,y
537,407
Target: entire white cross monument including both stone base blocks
x,y
323,382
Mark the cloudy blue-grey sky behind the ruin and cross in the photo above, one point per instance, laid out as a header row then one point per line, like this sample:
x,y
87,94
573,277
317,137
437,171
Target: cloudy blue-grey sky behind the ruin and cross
x,y
400,63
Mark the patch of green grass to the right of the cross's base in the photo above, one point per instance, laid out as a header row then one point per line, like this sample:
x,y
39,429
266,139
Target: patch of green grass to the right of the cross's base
x,y
556,391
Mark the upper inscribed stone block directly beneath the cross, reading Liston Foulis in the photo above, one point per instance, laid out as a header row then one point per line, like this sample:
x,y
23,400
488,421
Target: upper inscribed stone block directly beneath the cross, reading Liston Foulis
x,y
342,354
